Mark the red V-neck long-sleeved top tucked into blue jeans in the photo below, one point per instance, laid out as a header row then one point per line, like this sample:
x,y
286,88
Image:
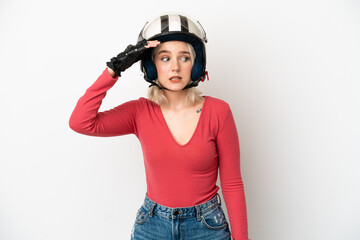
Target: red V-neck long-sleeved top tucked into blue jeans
x,y
176,175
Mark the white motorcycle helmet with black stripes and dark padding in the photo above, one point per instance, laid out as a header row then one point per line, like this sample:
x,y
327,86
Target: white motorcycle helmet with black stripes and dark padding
x,y
174,27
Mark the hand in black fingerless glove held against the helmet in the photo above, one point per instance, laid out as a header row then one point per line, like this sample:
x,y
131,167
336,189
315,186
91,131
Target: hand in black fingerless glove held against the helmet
x,y
129,56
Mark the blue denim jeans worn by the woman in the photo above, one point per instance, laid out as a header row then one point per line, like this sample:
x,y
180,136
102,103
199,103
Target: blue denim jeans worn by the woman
x,y
200,222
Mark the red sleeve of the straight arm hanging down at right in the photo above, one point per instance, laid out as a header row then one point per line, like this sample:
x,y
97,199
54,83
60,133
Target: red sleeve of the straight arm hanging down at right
x,y
230,177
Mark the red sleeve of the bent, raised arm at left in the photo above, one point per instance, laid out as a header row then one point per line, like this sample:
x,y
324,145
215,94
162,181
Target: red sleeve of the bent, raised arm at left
x,y
86,119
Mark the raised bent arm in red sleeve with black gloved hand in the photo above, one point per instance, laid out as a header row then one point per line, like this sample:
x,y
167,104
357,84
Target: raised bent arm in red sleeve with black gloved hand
x,y
86,119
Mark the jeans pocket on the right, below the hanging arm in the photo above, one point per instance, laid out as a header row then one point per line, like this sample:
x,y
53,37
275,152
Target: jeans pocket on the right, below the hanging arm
x,y
214,219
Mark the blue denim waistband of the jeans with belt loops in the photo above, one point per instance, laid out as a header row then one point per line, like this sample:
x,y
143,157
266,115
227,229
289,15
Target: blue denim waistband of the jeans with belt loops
x,y
181,212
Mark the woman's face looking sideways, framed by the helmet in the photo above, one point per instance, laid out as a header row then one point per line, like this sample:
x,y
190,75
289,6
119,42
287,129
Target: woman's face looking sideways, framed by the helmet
x,y
173,65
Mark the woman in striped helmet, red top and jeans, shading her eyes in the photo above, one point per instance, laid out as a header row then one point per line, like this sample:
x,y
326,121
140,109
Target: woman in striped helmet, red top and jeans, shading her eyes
x,y
185,137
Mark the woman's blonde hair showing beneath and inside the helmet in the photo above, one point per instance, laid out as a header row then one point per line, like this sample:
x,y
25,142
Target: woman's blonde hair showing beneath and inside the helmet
x,y
157,95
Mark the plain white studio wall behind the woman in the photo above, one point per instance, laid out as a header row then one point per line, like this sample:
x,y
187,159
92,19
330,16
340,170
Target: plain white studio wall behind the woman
x,y
288,69
